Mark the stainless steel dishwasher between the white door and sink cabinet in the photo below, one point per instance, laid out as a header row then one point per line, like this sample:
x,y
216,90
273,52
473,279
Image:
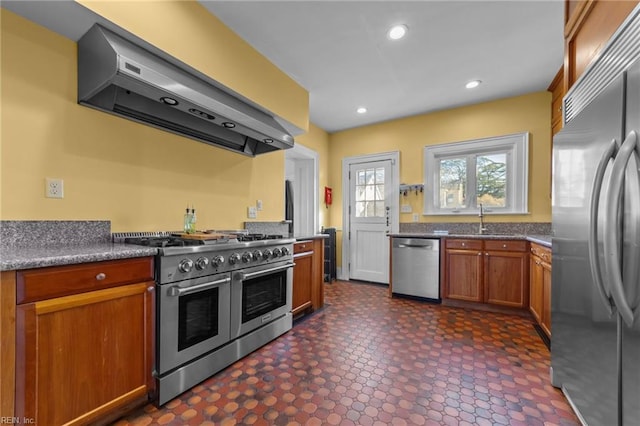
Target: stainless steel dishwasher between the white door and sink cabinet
x,y
415,265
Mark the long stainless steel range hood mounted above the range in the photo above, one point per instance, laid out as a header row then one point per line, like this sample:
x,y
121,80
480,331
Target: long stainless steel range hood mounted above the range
x,y
118,76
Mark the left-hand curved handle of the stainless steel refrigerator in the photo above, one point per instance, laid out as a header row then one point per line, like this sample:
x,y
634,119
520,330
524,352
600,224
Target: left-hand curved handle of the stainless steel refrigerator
x,y
594,255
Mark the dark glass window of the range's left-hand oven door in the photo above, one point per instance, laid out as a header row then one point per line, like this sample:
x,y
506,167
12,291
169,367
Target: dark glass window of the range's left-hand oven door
x,y
197,317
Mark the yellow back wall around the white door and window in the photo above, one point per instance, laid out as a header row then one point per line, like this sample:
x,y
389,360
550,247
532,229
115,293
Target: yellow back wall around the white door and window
x,y
409,136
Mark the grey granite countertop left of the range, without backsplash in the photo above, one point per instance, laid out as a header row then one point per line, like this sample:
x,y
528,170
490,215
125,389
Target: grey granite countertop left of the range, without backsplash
x,y
14,258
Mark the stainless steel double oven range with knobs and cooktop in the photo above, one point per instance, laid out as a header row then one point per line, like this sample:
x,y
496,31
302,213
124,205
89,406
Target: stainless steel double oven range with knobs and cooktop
x,y
216,301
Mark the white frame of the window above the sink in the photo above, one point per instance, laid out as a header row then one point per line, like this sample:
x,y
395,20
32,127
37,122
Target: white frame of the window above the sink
x,y
516,146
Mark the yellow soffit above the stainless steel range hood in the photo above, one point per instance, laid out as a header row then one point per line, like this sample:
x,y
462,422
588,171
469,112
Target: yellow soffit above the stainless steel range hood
x,y
189,32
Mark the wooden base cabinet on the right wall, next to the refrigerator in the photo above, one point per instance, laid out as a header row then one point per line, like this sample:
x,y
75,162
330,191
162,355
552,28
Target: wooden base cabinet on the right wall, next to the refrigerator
x,y
540,286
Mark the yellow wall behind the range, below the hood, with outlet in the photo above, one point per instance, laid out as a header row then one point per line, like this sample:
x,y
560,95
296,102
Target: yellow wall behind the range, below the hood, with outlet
x,y
138,177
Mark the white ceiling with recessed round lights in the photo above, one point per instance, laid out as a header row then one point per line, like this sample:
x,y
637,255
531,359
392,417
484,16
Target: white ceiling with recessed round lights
x,y
339,52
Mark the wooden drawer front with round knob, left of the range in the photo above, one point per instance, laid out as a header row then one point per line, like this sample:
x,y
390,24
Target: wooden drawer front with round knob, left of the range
x,y
47,283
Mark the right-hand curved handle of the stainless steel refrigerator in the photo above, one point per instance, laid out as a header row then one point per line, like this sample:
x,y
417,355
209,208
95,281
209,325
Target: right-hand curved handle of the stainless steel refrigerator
x,y
612,255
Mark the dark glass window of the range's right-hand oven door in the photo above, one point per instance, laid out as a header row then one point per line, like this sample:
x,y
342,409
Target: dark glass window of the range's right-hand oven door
x,y
263,294
